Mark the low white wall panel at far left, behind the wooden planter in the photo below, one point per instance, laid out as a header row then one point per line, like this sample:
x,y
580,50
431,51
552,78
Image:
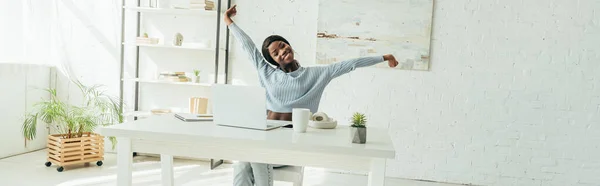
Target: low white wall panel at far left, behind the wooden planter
x,y
22,86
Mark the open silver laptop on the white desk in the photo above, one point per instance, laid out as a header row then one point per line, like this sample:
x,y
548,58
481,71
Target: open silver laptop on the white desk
x,y
243,107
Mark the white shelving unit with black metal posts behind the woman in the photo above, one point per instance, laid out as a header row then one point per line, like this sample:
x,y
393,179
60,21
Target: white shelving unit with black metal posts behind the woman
x,y
207,45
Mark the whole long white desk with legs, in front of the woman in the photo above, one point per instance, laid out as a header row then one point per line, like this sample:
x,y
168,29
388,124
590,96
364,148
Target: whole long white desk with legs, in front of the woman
x,y
327,148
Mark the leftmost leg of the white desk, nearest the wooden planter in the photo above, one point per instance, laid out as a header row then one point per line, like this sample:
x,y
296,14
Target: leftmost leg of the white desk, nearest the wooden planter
x,y
124,162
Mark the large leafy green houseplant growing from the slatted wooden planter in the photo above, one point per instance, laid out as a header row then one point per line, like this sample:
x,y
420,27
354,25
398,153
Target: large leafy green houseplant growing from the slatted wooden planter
x,y
97,109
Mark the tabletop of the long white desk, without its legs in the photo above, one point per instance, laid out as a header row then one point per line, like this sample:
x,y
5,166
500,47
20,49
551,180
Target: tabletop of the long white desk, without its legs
x,y
332,141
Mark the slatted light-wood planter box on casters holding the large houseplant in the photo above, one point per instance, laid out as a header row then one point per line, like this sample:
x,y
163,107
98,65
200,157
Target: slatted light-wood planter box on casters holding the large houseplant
x,y
85,149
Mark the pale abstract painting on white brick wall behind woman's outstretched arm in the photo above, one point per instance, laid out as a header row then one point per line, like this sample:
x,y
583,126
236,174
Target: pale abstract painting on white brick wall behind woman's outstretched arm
x,y
356,28
